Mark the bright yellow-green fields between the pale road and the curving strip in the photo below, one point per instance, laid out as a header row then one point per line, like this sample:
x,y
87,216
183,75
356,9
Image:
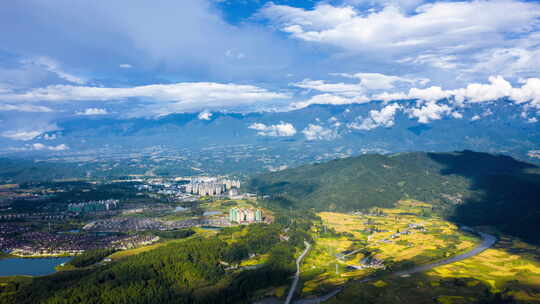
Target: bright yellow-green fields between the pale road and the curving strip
x,y
434,240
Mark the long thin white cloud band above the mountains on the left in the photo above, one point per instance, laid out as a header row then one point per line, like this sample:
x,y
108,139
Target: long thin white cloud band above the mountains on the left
x,y
180,96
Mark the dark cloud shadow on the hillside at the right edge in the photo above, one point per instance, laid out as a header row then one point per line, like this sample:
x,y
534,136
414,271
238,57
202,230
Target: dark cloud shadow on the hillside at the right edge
x,y
505,192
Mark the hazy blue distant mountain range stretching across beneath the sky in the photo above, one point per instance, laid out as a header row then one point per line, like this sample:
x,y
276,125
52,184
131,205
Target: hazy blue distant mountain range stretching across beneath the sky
x,y
320,129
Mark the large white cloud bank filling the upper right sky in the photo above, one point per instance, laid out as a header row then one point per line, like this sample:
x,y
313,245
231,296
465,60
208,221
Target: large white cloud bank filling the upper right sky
x,y
463,38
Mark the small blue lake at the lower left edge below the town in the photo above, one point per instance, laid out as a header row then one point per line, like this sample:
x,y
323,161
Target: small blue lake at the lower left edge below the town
x,y
30,266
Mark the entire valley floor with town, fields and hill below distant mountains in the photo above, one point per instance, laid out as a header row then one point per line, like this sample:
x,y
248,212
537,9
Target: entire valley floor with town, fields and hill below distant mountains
x,y
404,225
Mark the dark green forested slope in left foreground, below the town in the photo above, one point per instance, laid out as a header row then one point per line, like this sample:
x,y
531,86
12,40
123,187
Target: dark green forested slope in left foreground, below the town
x,y
194,270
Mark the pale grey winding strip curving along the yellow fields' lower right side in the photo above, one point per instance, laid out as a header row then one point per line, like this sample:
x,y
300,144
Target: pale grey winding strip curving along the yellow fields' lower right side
x,y
487,241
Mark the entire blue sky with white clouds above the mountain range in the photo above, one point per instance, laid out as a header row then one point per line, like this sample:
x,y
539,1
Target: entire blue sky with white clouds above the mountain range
x,y
134,58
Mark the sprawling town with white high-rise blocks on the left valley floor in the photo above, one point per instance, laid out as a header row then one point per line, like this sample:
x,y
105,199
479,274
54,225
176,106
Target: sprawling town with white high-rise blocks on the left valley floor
x,y
59,224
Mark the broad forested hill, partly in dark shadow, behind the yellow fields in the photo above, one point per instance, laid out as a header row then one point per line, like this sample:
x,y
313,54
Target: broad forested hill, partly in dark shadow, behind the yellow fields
x,y
469,187
